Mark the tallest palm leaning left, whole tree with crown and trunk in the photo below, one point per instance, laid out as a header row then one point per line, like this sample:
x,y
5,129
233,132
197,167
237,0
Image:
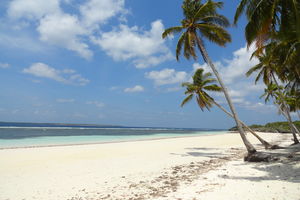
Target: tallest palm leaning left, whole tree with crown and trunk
x,y
202,21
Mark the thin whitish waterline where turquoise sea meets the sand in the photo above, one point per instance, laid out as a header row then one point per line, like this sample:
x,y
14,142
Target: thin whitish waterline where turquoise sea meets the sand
x,y
113,142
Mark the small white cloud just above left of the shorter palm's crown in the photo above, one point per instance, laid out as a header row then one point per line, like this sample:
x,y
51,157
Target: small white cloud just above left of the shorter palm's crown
x,y
167,76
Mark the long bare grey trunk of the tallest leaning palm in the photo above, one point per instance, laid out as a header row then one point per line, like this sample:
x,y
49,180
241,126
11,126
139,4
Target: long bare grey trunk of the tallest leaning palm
x,y
249,146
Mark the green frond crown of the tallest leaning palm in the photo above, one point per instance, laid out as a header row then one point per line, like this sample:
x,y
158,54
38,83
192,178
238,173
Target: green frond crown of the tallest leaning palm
x,y
199,19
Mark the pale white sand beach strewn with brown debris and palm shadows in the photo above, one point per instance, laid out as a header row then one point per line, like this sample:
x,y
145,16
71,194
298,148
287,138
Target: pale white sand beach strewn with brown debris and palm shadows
x,y
191,168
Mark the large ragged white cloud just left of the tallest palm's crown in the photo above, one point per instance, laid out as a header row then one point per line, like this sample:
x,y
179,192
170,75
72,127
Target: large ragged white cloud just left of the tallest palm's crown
x,y
145,48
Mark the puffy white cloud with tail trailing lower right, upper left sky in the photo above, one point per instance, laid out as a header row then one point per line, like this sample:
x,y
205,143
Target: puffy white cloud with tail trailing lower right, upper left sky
x,y
64,30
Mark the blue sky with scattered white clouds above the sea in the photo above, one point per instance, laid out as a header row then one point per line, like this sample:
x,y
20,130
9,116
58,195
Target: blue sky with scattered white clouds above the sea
x,y
104,62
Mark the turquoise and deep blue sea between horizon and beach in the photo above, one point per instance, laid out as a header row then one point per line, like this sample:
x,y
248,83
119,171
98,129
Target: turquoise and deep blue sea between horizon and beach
x,y
32,135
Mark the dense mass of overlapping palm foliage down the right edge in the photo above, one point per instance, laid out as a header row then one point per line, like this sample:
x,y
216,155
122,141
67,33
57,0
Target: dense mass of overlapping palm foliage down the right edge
x,y
274,27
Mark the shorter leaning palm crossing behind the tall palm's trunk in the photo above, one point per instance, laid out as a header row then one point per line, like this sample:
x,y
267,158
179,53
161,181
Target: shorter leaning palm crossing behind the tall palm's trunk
x,y
203,82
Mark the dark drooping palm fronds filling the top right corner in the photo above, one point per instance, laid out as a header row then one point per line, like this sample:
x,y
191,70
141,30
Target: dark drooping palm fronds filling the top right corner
x,y
275,23
